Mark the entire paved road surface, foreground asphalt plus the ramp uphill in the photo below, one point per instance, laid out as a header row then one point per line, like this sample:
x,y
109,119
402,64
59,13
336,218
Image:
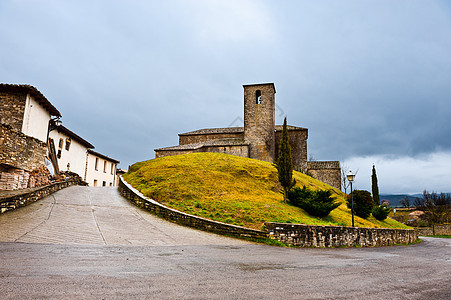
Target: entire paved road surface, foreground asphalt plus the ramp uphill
x,y
106,266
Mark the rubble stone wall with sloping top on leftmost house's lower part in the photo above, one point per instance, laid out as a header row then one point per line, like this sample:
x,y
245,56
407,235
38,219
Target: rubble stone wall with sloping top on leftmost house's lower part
x,y
20,151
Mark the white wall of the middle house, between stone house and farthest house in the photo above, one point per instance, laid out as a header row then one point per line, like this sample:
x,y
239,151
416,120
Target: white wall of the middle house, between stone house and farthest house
x,y
75,156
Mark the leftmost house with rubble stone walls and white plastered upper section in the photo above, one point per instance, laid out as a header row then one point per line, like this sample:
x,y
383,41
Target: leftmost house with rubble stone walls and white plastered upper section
x,y
24,117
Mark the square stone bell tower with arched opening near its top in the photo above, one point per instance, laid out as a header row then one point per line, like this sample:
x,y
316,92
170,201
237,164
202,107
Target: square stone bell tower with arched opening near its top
x,y
259,118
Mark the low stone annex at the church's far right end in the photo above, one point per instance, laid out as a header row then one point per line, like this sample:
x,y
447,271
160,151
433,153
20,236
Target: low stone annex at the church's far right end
x,y
328,172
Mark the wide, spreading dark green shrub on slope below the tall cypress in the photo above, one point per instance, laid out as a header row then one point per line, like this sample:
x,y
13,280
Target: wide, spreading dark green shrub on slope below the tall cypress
x,y
315,203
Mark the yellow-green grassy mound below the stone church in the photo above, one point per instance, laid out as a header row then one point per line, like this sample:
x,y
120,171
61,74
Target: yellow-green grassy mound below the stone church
x,y
233,190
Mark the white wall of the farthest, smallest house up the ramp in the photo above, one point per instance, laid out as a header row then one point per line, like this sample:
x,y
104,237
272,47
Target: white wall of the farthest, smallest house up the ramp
x,y
99,175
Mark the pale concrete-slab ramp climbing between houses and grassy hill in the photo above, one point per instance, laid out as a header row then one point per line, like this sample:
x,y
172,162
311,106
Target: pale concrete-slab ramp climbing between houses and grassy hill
x,y
97,216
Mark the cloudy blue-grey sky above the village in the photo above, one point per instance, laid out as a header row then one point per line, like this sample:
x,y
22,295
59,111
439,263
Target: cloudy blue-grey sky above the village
x,y
370,79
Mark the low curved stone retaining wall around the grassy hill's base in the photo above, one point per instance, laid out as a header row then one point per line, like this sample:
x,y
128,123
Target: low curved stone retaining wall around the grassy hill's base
x,y
292,234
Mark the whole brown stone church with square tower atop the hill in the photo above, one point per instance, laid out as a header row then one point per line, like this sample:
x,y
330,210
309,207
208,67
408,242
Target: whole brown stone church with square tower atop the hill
x,y
258,139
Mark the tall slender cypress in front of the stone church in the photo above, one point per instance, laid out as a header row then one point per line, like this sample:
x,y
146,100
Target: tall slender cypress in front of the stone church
x,y
284,163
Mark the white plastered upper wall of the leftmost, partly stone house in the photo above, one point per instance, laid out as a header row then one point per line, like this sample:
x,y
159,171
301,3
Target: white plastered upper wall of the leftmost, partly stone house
x,y
36,119
